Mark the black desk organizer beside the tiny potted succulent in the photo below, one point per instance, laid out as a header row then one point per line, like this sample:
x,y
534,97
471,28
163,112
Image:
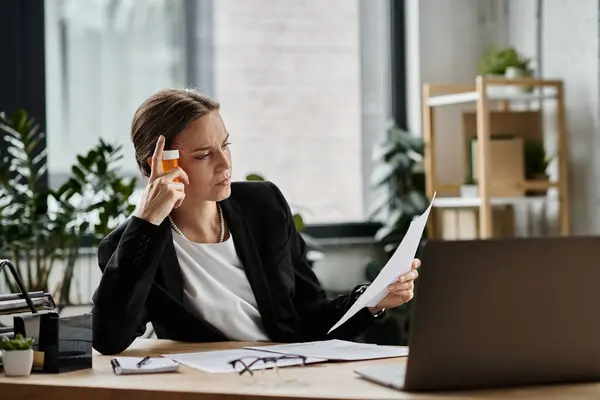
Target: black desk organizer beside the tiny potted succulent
x,y
61,343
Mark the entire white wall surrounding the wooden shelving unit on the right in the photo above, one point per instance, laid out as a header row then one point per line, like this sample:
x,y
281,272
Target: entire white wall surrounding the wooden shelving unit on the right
x,y
446,37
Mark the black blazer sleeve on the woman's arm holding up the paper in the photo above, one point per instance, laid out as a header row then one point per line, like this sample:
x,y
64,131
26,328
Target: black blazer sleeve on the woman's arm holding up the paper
x,y
317,312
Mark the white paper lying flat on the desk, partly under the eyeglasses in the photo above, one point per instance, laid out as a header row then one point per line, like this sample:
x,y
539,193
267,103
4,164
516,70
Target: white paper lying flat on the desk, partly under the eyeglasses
x,y
217,361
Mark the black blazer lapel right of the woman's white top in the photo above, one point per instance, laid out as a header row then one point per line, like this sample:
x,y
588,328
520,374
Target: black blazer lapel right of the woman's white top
x,y
248,254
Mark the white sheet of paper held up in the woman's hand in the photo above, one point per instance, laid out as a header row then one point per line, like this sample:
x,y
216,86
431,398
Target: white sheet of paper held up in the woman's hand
x,y
400,263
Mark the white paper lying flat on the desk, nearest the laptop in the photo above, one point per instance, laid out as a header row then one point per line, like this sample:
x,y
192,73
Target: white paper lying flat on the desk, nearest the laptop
x,y
337,350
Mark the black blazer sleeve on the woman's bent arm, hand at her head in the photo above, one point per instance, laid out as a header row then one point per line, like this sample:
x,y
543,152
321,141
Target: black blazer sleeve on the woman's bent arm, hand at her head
x,y
129,264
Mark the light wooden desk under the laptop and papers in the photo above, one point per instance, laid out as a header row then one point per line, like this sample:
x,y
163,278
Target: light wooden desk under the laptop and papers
x,y
319,381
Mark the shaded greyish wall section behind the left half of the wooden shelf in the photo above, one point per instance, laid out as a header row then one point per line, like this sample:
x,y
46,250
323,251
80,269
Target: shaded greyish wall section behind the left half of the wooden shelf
x,y
445,40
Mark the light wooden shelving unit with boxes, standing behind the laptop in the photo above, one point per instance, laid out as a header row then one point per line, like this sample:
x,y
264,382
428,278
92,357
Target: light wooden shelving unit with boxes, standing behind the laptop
x,y
493,98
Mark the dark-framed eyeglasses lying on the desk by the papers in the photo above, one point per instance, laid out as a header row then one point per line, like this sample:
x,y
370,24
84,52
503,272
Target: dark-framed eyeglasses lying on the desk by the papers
x,y
283,368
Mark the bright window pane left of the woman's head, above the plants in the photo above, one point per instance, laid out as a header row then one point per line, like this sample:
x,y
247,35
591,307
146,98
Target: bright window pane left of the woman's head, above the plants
x,y
103,58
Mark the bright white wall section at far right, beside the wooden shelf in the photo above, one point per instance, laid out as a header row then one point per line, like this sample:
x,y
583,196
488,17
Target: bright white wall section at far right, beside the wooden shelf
x,y
569,49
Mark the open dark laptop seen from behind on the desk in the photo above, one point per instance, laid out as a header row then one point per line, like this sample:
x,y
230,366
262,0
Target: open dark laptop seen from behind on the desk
x,y
502,312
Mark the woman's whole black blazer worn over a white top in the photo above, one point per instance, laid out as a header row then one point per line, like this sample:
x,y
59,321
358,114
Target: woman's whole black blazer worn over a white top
x,y
142,280
